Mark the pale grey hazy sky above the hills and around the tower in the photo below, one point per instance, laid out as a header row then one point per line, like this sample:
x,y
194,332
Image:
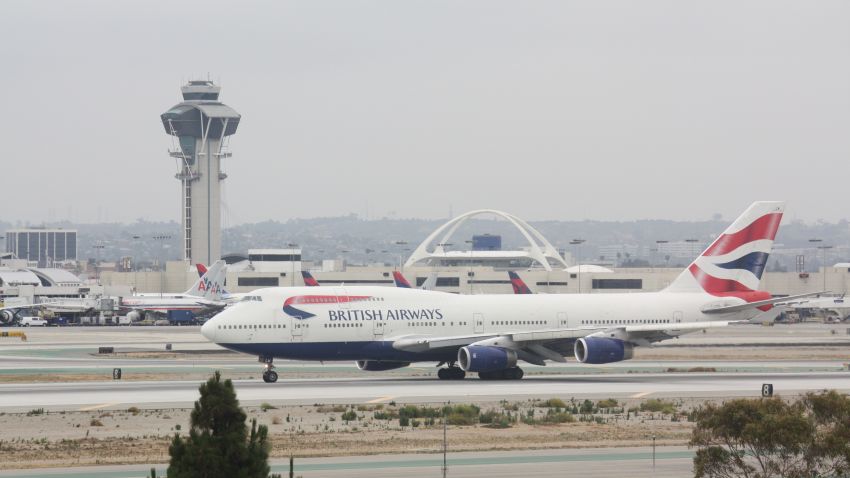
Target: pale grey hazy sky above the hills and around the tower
x,y
547,109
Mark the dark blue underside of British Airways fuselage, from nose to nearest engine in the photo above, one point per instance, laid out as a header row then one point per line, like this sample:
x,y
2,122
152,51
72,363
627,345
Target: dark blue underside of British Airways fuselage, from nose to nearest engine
x,y
371,350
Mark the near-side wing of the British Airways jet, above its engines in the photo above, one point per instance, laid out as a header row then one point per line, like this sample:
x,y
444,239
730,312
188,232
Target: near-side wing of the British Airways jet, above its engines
x,y
535,346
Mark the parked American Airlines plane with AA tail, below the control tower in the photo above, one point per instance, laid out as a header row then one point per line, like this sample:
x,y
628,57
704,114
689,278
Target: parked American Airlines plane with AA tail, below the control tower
x,y
205,294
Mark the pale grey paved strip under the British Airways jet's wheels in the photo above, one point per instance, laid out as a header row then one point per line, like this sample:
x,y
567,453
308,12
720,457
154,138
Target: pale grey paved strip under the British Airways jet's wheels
x,y
178,394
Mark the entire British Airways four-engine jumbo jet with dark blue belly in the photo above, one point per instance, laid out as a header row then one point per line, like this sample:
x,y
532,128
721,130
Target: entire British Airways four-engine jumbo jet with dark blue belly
x,y
385,328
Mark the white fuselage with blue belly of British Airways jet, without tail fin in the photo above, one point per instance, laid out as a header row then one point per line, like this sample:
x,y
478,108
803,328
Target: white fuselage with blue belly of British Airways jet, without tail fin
x,y
369,323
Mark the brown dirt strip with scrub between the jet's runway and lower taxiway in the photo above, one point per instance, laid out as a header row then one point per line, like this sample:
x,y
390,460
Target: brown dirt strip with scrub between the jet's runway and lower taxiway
x,y
59,439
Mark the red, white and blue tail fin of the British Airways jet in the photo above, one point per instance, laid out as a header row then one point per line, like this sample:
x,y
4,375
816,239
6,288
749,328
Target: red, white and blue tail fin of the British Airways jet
x,y
733,264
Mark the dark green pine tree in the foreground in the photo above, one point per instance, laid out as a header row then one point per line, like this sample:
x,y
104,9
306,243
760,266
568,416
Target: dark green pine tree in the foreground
x,y
219,445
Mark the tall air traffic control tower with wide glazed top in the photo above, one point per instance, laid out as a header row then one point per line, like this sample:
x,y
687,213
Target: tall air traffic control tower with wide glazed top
x,y
201,126
